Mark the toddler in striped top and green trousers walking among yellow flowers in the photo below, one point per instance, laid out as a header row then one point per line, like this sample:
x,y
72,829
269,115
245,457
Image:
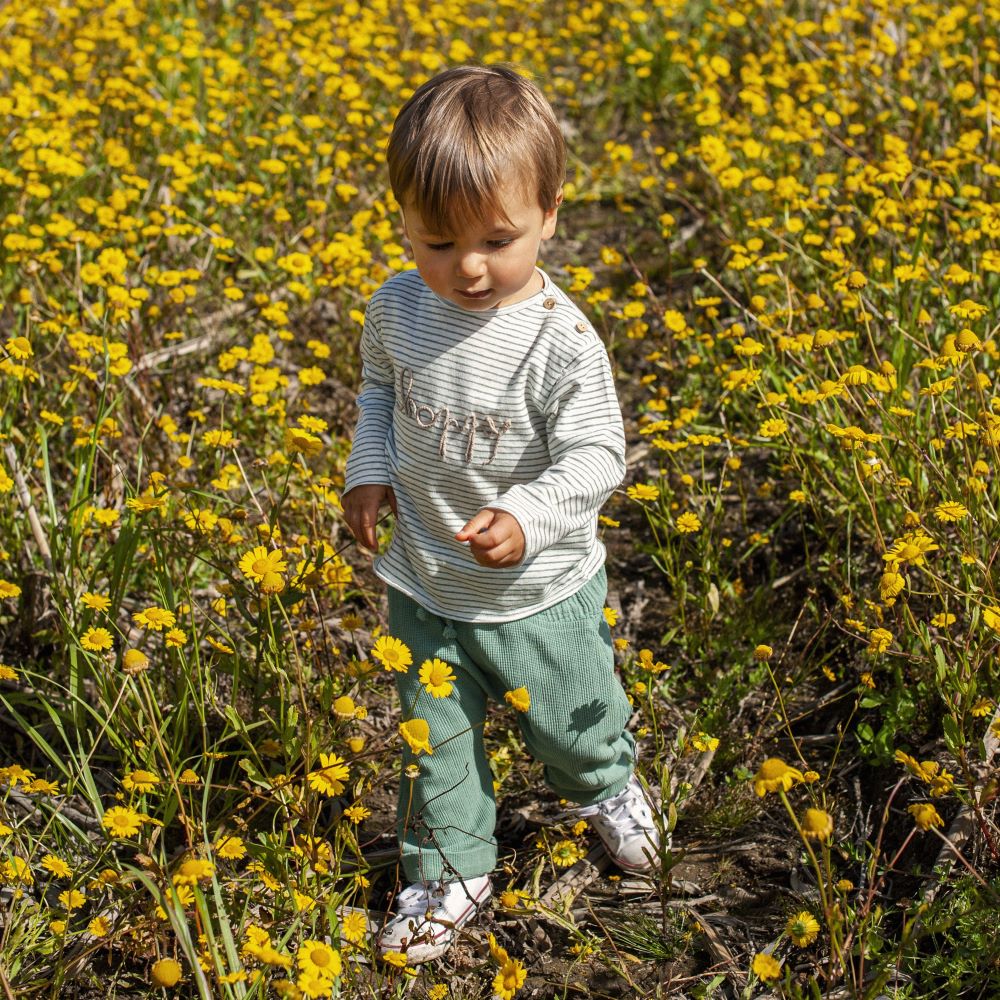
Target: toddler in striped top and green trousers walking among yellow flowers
x,y
489,425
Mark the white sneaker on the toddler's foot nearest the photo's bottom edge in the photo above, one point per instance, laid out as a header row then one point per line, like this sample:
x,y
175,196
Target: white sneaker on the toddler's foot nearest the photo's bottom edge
x,y
429,913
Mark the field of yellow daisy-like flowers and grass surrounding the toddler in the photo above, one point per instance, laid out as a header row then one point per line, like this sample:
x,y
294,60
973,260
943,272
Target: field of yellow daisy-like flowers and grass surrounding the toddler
x,y
783,218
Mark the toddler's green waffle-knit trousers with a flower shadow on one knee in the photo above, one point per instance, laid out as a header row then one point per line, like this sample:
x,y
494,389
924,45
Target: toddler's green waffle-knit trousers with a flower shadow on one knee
x,y
575,725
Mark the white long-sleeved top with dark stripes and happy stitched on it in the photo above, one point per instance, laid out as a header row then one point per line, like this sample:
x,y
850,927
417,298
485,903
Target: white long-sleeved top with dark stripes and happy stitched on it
x,y
511,408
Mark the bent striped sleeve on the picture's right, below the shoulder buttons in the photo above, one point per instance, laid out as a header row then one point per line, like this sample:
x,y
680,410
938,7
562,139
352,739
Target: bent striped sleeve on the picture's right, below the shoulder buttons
x,y
586,443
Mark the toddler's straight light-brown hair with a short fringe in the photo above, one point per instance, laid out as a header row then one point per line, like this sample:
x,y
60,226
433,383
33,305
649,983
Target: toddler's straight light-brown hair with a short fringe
x,y
463,135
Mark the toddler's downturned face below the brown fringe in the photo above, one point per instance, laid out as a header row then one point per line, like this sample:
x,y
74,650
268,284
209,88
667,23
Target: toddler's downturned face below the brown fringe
x,y
486,264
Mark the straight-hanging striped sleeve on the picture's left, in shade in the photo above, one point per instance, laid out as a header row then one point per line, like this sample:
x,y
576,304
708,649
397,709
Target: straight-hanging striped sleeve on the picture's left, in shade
x,y
376,399
